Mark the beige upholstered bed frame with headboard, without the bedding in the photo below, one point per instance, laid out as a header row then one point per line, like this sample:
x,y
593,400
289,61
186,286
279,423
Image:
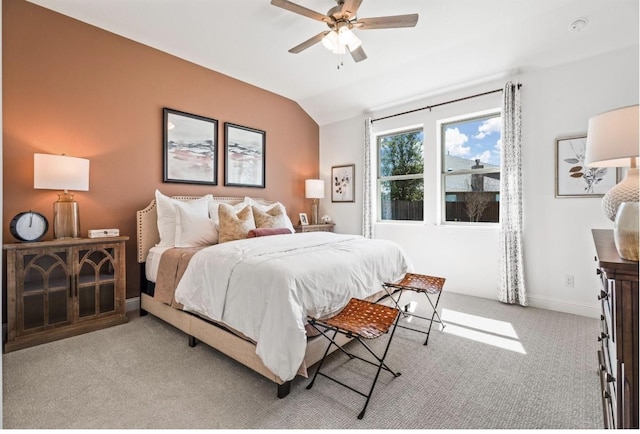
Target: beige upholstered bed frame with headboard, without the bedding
x,y
198,328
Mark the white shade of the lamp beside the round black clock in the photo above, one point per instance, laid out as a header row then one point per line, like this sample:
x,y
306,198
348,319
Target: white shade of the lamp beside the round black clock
x,y
60,172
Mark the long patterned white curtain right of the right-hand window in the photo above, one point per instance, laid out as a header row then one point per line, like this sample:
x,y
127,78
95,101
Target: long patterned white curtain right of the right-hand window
x,y
512,287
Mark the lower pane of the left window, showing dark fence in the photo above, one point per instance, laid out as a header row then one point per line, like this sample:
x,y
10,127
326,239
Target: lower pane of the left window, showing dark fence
x,y
402,199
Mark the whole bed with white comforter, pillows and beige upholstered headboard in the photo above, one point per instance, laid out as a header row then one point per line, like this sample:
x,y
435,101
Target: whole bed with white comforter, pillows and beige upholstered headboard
x,y
249,297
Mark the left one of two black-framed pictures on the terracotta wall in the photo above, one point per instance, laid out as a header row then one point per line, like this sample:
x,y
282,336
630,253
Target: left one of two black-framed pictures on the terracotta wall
x,y
190,148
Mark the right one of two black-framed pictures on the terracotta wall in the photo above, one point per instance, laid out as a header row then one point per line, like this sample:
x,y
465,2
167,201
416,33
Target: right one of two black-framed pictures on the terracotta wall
x,y
244,156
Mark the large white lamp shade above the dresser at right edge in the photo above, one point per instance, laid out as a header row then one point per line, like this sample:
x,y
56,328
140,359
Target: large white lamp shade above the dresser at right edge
x,y
612,138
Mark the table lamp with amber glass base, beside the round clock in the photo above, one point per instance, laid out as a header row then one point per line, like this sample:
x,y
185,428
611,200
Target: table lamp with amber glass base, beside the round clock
x,y
61,172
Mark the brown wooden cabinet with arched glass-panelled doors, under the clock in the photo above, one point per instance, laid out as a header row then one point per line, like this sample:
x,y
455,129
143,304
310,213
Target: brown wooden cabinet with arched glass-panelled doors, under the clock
x,y
57,289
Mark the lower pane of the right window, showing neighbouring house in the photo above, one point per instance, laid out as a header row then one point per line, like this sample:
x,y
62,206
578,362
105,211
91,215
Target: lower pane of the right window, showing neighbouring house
x,y
472,198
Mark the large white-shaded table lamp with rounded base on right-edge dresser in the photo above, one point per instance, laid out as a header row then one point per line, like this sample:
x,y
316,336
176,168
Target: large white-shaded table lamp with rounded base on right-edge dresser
x,y
612,141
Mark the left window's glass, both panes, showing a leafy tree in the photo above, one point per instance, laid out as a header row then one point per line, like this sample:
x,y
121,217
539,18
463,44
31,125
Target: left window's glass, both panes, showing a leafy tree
x,y
401,175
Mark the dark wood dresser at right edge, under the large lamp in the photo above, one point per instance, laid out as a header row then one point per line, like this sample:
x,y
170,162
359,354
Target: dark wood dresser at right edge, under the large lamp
x,y
618,352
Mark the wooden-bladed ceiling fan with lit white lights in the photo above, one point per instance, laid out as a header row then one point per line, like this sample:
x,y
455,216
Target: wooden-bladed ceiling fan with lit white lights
x,y
341,19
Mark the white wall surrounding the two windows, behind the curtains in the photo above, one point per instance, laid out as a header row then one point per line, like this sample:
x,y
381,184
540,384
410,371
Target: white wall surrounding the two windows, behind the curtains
x,y
556,102
